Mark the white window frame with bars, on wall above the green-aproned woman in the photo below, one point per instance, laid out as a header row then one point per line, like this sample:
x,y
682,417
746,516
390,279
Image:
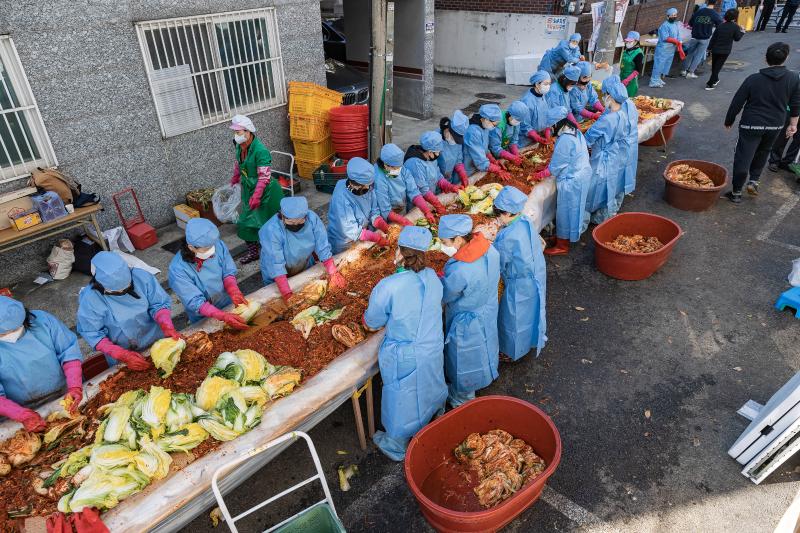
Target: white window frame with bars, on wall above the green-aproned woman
x,y
216,86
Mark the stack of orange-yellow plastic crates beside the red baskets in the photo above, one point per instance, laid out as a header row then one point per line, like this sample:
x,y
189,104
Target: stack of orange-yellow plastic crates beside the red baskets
x,y
309,125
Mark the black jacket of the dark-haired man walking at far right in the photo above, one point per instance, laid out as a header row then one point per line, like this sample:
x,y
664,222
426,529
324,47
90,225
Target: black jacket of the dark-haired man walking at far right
x,y
765,96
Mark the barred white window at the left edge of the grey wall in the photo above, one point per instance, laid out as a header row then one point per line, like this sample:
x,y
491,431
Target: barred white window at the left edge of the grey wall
x,y
24,143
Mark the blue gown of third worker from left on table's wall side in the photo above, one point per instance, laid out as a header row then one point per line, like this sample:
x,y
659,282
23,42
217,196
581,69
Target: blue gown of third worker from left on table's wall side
x,y
195,288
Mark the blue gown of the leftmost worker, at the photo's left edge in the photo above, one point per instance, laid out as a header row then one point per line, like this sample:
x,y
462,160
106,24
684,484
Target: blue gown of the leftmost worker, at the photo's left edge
x,y
30,369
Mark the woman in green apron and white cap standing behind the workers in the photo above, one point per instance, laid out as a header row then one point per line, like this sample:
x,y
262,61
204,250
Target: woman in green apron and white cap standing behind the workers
x,y
261,195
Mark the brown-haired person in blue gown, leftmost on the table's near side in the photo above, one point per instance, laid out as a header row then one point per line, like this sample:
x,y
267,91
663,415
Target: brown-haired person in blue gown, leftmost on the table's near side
x,y
409,305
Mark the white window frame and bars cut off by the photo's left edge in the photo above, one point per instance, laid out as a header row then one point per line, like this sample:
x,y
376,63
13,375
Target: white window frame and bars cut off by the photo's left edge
x,y
27,110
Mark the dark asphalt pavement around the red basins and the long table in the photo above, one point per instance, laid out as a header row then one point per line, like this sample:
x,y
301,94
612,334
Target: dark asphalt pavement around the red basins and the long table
x,y
642,379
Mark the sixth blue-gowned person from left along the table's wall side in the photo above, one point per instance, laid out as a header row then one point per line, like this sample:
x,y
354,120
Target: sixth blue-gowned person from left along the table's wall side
x,y
393,189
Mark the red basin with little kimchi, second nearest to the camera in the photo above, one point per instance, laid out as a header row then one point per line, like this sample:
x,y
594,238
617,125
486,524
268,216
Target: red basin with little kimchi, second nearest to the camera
x,y
632,267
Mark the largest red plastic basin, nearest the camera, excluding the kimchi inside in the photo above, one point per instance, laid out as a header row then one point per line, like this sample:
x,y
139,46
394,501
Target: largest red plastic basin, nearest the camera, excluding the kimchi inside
x,y
435,443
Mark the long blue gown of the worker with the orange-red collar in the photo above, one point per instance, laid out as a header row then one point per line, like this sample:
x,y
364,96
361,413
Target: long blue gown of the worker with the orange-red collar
x,y
471,344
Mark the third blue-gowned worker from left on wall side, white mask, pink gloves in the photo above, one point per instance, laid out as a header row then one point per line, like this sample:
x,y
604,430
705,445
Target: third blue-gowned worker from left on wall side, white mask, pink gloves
x,y
203,275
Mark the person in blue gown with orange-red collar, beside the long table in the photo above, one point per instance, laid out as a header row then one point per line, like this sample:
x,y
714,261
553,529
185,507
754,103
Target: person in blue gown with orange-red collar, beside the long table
x,y
470,283
